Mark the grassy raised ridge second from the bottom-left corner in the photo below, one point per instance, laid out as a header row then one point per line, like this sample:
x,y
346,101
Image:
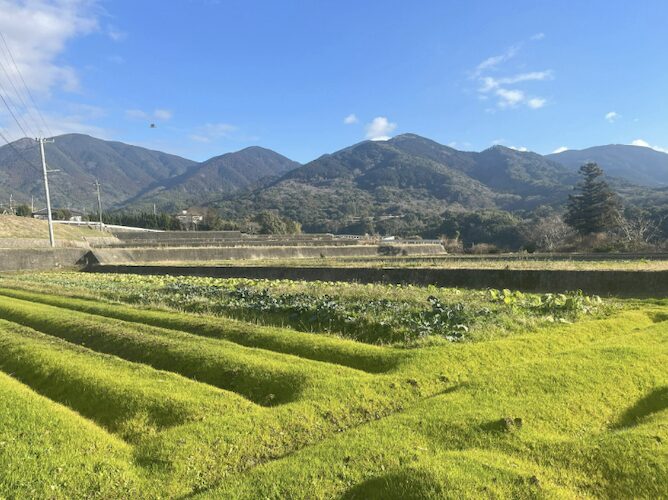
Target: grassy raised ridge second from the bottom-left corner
x,y
134,397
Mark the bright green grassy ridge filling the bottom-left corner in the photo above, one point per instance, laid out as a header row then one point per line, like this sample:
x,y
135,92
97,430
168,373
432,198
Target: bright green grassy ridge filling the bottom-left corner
x,y
48,451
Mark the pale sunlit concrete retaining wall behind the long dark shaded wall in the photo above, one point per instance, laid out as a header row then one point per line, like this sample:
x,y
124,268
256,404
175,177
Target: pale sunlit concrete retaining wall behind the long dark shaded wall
x,y
148,255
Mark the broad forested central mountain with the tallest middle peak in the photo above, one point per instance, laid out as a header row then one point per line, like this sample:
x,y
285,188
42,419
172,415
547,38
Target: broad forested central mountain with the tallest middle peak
x,y
408,176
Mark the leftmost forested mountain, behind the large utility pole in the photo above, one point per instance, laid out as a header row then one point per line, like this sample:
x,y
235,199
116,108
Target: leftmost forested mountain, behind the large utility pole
x,y
123,170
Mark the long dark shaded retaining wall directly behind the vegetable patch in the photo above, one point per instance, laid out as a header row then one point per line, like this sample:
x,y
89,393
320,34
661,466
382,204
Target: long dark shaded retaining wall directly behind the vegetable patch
x,y
605,283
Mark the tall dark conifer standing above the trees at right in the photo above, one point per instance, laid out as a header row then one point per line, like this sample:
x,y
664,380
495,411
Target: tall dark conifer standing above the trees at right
x,y
593,206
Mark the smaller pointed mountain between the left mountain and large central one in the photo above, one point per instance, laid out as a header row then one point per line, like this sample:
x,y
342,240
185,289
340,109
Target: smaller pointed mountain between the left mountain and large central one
x,y
216,177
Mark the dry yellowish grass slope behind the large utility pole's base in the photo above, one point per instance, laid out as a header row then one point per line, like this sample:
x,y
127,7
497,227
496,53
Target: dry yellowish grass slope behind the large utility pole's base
x,y
12,227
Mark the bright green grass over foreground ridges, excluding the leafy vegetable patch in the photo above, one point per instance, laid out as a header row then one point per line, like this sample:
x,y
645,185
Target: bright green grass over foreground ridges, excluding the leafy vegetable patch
x,y
566,410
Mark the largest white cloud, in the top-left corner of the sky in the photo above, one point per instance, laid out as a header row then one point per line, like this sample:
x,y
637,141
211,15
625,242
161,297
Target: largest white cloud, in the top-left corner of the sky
x,y
37,32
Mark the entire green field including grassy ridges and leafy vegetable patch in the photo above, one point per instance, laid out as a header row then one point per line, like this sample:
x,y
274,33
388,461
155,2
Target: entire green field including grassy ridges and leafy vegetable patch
x,y
147,387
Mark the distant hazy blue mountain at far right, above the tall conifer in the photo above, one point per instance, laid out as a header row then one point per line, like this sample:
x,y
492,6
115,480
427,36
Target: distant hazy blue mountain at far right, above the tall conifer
x,y
635,164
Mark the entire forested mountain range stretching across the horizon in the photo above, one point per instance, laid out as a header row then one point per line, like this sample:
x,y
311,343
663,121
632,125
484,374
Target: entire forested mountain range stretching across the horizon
x,y
408,174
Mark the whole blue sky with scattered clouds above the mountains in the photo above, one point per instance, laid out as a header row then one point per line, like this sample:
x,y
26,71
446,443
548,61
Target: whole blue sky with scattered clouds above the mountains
x,y
310,77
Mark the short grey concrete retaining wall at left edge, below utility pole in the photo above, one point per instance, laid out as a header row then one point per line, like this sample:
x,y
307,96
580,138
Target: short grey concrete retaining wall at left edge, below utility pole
x,y
41,258
